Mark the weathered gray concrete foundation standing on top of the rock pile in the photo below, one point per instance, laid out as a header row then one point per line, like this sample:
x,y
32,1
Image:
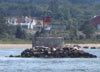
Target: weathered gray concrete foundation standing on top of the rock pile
x,y
48,41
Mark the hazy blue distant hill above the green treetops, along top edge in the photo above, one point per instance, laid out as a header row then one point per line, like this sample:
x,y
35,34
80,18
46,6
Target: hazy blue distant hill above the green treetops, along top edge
x,y
47,1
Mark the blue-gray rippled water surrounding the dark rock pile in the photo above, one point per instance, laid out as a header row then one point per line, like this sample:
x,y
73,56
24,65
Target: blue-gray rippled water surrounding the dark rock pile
x,y
47,65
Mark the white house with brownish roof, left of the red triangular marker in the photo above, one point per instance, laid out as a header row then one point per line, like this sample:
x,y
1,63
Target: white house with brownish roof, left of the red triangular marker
x,y
25,22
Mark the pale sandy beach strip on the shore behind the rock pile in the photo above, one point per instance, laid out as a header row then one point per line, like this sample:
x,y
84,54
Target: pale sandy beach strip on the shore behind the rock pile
x,y
24,46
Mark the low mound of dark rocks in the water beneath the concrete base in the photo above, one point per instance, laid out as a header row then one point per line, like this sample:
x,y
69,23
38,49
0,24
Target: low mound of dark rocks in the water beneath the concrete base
x,y
47,52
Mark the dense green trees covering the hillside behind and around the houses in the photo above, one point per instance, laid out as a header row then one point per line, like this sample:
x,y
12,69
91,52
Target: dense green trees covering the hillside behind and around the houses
x,y
74,13
